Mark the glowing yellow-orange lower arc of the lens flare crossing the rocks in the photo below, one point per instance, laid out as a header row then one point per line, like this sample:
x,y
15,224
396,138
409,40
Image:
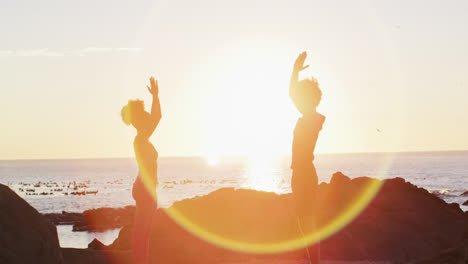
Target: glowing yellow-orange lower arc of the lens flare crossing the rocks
x,y
309,237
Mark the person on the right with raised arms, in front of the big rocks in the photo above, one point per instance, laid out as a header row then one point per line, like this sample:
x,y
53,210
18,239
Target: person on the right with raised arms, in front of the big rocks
x,y
306,96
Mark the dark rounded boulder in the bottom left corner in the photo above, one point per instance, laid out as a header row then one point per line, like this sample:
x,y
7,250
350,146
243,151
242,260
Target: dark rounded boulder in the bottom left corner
x,y
25,235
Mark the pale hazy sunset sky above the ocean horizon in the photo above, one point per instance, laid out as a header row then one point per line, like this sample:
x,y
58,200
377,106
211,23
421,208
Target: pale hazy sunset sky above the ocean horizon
x,y
68,67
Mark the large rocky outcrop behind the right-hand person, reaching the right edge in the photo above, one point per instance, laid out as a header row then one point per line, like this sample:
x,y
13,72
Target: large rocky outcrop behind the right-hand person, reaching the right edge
x,y
402,223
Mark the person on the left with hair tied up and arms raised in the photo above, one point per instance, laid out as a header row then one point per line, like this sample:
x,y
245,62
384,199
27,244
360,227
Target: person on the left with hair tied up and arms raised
x,y
144,188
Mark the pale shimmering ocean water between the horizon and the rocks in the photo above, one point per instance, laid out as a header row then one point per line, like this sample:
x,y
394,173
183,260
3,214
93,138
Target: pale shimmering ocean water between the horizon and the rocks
x,y
77,185
